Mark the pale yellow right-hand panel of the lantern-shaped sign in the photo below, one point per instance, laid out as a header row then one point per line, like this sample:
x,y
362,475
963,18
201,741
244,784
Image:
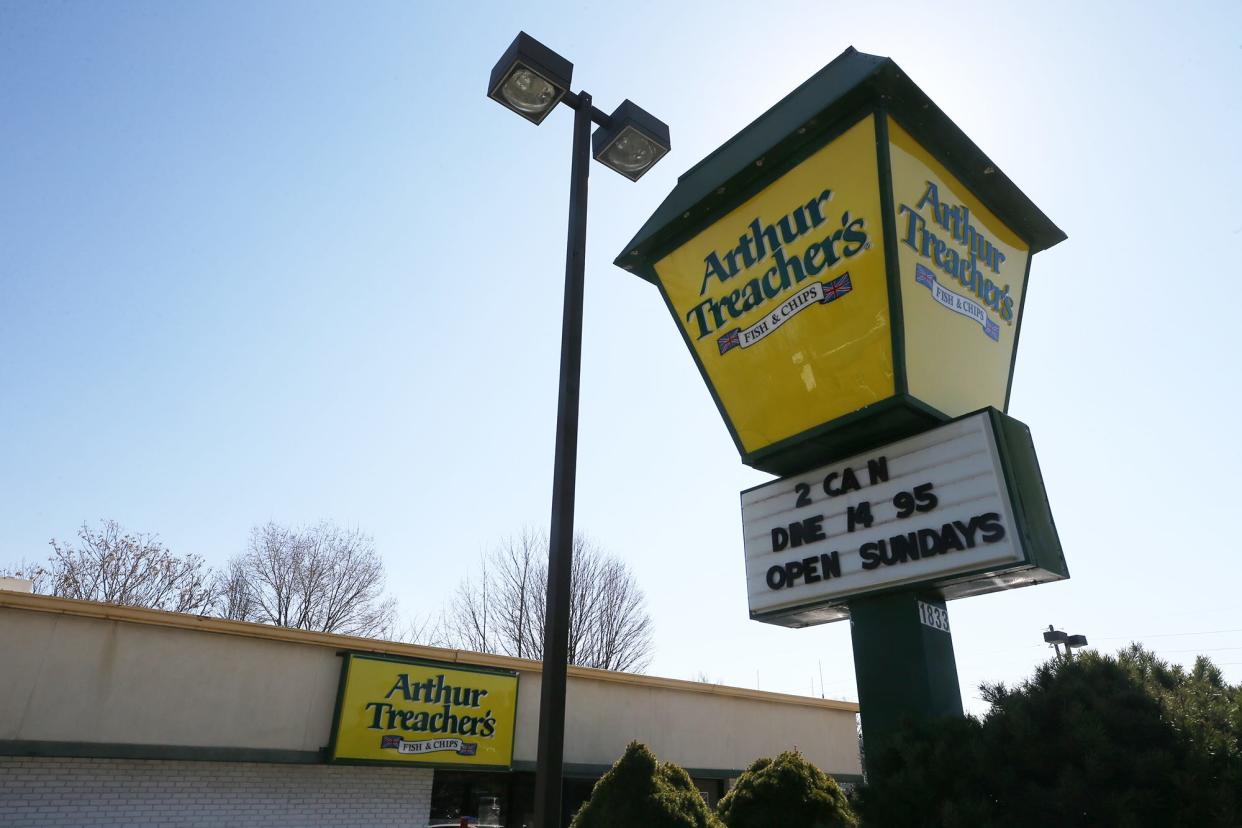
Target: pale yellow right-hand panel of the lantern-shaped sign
x,y
962,274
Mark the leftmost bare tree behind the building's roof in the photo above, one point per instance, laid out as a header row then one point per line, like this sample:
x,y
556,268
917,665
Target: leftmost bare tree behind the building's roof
x,y
117,567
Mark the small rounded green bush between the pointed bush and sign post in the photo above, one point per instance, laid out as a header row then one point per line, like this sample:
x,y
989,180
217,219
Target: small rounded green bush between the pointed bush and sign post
x,y
786,791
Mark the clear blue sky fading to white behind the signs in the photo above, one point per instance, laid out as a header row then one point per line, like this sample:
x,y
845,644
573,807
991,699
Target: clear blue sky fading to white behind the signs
x,y
285,261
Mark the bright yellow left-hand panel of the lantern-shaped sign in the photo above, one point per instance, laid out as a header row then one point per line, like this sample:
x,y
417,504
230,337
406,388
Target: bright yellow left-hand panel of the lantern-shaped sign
x,y
784,300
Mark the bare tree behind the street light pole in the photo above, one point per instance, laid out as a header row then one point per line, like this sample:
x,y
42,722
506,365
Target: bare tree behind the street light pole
x,y
502,608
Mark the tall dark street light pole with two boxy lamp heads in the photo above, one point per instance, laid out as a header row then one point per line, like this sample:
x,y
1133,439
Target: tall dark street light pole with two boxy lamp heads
x,y
531,80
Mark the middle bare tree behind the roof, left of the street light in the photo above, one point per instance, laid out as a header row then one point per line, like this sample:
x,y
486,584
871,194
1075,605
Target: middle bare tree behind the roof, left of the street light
x,y
324,579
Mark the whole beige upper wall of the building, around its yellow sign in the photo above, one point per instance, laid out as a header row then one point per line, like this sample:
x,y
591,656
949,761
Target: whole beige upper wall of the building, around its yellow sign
x,y
79,672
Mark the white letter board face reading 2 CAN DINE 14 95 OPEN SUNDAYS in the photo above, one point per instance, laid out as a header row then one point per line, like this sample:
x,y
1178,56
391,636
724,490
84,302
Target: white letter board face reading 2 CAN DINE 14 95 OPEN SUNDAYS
x,y
932,510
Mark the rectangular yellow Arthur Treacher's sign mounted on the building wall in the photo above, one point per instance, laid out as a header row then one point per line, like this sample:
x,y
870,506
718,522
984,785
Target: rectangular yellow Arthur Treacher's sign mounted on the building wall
x,y
422,713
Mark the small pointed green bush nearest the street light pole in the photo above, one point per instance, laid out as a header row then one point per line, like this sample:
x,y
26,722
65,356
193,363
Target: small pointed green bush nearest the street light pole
x,y
645,794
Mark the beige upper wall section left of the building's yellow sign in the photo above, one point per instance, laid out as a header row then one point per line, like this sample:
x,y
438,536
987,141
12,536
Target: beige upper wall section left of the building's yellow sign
x,y
86,680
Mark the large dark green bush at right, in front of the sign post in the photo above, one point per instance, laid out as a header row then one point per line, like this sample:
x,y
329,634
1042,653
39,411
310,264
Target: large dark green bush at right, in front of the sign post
x,y
1121,742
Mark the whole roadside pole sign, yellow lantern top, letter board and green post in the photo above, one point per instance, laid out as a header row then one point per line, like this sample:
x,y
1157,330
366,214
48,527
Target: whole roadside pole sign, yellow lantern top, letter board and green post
x,y
849,275
